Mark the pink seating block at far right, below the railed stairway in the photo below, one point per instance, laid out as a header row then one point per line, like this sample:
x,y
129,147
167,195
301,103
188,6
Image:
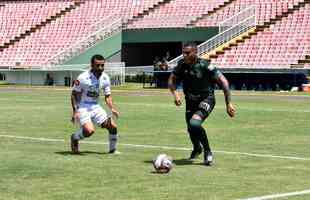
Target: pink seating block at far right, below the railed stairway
x,y
281,45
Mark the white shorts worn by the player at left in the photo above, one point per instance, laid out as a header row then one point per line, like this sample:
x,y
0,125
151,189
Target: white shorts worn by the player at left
x,y
92,113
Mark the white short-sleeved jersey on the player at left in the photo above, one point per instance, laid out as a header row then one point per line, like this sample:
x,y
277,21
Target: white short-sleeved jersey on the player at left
x,y
90,86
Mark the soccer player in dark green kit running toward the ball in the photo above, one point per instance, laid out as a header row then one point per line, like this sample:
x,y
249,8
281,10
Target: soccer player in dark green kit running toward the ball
x,y
199,79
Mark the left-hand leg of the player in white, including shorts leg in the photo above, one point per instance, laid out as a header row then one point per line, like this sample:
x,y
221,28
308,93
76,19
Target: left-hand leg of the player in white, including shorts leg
x,y
86,130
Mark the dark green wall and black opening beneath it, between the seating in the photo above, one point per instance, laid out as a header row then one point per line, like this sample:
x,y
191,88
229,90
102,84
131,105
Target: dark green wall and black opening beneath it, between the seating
x,y
140,47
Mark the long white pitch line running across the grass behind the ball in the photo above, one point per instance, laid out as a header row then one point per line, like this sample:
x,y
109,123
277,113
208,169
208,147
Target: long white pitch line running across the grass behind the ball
x,y
160,147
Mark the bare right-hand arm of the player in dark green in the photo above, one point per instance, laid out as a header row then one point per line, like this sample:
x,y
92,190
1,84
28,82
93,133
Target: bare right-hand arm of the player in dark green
x,y
230,109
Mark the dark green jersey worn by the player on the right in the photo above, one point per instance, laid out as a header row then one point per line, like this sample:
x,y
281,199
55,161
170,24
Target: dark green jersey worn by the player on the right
x,y
198,79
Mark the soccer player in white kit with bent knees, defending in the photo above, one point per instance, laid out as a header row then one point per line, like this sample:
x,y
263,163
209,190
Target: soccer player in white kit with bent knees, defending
x,y
86,108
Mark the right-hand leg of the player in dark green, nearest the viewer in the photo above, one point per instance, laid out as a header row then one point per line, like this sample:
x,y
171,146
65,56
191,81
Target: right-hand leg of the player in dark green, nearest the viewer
x,y
204,109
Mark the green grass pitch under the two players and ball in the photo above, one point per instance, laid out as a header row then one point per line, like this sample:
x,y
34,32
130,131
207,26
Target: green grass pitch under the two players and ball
x,y
267,124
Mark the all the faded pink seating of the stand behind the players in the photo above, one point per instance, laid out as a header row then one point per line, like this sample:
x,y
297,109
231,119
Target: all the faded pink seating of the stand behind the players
x,y
32,31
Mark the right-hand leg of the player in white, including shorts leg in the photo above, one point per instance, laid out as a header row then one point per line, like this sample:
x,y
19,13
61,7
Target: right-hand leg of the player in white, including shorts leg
x,y
101,118
